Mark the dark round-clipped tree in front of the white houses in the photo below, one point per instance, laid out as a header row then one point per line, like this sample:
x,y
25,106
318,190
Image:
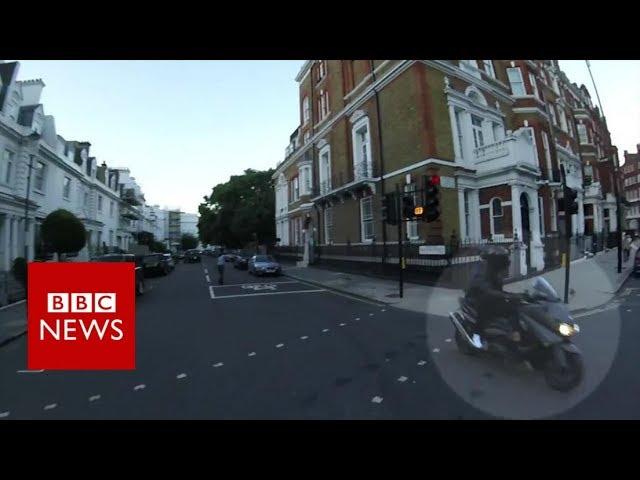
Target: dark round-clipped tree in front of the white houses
x,y
63,232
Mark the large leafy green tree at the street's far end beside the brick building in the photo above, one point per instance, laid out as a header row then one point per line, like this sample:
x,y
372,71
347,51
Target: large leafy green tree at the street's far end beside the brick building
x,y
239,211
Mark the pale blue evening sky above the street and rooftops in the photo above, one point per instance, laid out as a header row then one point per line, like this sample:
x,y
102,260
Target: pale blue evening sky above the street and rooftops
x,y
182,127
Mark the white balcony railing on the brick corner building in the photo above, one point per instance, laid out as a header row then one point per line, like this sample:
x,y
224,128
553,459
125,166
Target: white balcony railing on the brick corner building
x,y
515,149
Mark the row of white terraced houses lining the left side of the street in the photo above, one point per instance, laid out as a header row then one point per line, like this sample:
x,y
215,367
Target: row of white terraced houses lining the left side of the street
x,y
38,164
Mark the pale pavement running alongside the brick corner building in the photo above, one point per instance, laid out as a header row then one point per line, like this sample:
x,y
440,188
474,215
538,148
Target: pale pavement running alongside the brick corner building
x,y
595,281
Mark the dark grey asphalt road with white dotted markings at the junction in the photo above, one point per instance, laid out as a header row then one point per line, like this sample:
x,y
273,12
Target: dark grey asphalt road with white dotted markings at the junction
x,y
281,349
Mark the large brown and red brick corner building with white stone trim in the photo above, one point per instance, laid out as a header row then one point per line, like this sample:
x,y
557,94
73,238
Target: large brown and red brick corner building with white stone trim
x,y
499,133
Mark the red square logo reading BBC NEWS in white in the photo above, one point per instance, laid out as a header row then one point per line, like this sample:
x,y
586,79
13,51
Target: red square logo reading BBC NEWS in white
x,y
81,316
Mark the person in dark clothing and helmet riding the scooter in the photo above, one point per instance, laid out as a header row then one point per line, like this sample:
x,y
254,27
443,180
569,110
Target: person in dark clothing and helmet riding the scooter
x,y
486,294
